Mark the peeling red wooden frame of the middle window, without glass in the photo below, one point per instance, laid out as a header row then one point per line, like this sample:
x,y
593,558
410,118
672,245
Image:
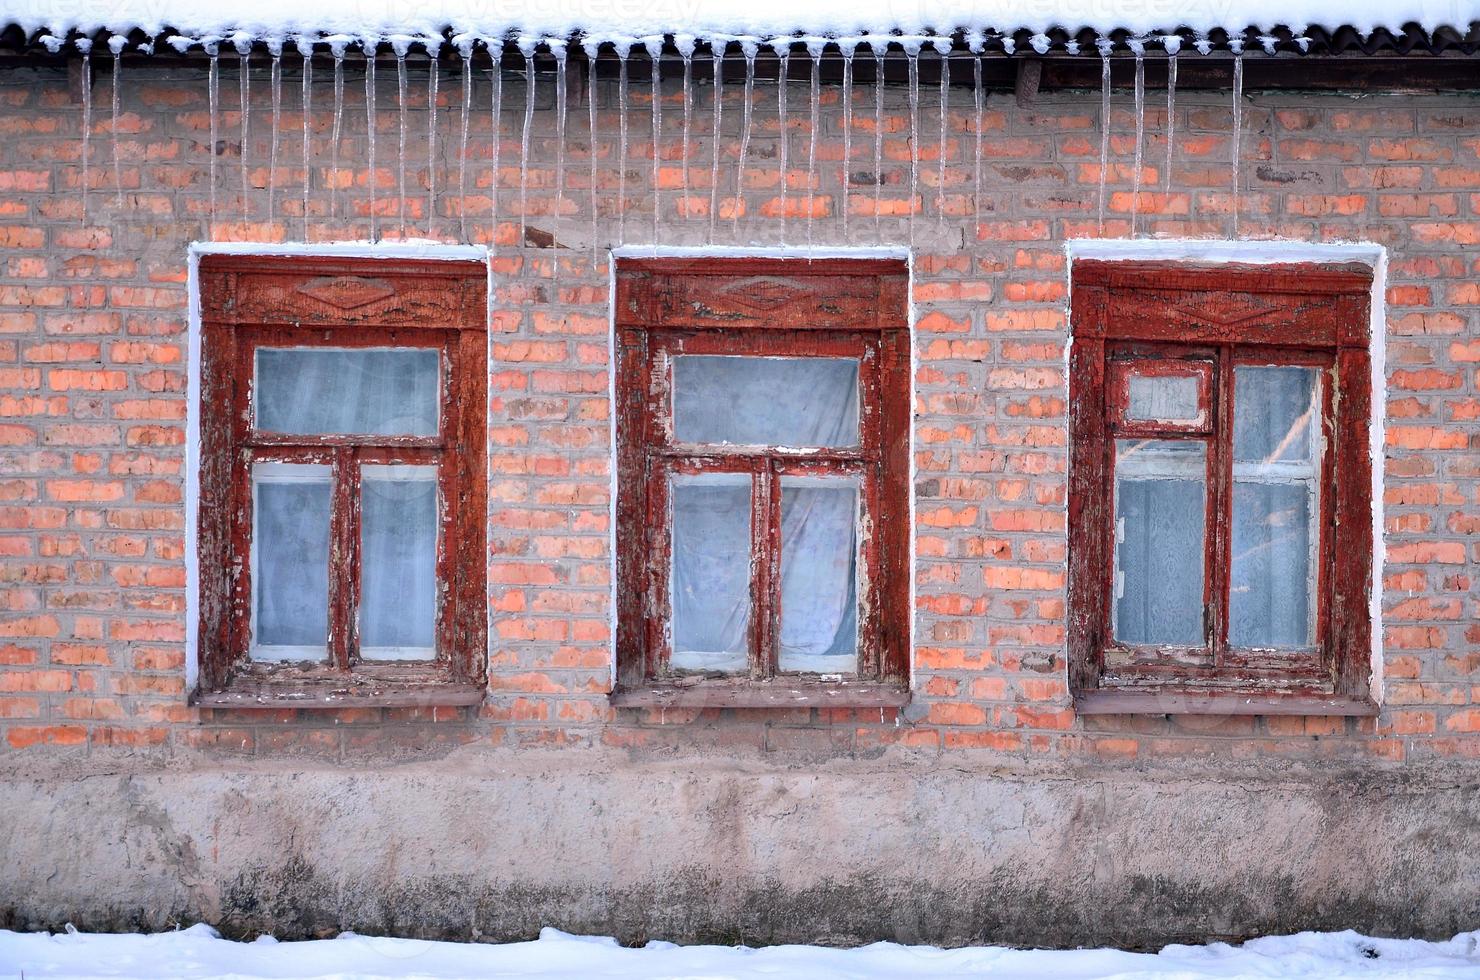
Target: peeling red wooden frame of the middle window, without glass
x,y
764,307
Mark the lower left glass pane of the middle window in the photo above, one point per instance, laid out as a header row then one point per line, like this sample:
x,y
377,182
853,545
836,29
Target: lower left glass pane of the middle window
x,y
711,585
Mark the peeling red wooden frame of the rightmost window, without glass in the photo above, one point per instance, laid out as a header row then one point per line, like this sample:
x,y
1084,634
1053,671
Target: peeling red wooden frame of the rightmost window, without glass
x,y
1226,315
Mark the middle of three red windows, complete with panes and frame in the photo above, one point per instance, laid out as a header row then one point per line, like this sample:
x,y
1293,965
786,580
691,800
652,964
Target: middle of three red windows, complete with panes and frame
x,y
763,519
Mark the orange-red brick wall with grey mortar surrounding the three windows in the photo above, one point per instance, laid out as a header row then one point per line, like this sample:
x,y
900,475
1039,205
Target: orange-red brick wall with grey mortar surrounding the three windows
x,y
92,395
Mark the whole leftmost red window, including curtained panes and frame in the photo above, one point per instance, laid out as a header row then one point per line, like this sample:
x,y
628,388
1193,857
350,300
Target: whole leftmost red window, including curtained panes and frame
x,y
343,482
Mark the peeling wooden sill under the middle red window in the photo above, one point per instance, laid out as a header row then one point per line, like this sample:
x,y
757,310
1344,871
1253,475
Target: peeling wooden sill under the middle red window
x,y
779,694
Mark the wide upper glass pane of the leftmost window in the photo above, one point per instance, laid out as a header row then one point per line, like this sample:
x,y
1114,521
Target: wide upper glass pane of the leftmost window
x,y
371,392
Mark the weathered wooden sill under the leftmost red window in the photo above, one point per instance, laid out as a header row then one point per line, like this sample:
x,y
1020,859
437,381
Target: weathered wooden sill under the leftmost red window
x,y
291,686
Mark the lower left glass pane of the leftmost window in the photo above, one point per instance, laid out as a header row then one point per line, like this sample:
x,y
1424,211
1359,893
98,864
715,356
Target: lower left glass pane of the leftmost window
x,y
291,562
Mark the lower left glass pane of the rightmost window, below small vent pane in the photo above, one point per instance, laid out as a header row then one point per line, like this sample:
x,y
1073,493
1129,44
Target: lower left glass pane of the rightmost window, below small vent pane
x,y
1161,507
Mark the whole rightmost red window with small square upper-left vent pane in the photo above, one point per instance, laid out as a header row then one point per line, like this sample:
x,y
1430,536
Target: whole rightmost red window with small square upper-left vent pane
x,y
1220,517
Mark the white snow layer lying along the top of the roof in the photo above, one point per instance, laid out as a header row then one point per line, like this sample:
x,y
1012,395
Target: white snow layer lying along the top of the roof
x,y
717,20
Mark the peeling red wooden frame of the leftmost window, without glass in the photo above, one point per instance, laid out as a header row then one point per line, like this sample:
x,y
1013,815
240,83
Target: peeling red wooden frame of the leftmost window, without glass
x,y
252,303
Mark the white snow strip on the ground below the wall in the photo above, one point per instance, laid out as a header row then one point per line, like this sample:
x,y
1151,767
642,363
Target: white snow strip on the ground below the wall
x,y
199,953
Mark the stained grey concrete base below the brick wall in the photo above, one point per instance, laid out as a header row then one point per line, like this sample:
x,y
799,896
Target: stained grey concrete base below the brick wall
x,y
494,845
